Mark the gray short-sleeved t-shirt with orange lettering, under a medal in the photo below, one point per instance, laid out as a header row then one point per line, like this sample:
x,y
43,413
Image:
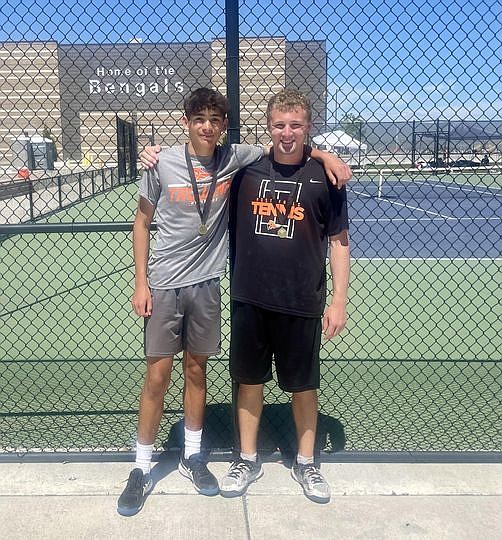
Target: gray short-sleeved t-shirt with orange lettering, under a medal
x,y
181,256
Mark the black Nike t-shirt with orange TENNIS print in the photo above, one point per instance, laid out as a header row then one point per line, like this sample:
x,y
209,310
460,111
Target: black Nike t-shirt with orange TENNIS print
x,y
278,245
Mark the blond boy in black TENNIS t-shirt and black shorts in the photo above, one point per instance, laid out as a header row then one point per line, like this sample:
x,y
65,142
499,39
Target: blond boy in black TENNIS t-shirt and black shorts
x,y
284,213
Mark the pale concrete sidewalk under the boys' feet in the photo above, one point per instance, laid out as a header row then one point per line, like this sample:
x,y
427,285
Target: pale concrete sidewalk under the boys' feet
x,y
369,501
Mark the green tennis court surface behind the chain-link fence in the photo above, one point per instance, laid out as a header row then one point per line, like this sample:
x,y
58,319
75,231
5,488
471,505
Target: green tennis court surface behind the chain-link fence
x,y
418,367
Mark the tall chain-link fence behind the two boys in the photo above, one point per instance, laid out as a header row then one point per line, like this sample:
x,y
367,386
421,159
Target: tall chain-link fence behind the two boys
x,y
408,93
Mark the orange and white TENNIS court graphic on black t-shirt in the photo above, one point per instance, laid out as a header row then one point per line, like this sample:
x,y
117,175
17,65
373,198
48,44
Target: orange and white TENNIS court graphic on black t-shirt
x,y
279,212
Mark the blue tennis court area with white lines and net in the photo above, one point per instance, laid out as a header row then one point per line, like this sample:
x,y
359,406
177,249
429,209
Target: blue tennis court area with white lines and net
x,y
456,215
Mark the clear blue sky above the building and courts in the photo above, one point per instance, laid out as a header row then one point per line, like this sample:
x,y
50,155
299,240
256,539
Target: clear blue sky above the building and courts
x,y
387,60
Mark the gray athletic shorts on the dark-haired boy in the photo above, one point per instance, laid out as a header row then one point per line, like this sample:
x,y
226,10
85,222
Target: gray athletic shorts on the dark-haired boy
x,y
187,318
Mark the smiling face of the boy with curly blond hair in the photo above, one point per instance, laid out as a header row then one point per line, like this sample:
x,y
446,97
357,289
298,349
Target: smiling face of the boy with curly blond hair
x,y
288,129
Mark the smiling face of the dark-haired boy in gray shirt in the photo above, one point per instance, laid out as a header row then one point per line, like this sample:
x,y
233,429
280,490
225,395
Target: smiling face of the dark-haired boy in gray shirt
x,y
204,130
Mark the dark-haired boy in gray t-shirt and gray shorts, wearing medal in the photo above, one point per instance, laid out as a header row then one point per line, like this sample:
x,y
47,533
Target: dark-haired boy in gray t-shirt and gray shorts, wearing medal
x,y
177,285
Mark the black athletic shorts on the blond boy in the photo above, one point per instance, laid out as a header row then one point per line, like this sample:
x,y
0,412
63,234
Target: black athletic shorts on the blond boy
x,y
259,334
